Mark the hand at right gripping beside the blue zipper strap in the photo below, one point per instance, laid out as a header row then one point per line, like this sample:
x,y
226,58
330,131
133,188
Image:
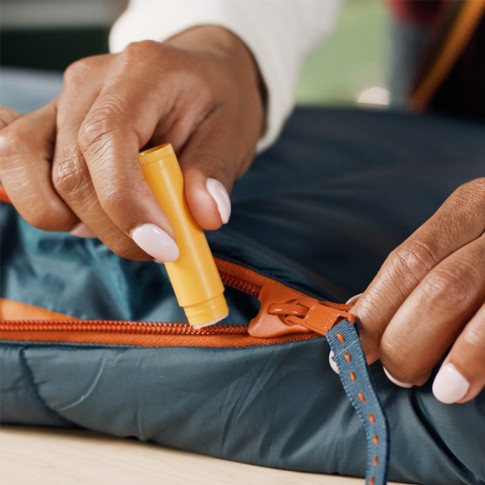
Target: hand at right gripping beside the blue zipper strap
x,y
428,301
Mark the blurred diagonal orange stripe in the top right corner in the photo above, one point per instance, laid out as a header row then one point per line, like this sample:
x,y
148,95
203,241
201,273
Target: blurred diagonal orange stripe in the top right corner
x,y
464,26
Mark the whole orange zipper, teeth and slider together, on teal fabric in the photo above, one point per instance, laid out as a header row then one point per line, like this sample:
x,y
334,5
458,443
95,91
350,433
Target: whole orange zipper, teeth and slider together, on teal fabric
x,y
285,315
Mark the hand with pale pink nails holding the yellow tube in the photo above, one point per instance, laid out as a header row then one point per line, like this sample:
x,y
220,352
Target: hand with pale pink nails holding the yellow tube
x,y
75,159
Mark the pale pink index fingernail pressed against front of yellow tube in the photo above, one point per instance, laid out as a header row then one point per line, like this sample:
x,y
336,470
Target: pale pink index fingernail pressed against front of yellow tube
x,y
156,242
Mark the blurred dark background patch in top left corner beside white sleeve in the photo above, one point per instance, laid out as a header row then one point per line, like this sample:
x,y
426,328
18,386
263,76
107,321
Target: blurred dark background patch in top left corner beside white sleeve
x,y
51,34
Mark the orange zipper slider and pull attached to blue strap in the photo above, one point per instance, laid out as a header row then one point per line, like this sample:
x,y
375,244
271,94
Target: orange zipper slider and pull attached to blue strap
x,y
286,311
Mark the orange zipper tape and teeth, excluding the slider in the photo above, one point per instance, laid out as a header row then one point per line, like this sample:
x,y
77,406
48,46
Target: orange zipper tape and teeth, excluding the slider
x,y
23,322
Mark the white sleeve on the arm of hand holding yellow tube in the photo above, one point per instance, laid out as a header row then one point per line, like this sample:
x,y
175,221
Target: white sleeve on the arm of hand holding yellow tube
x,y
278,32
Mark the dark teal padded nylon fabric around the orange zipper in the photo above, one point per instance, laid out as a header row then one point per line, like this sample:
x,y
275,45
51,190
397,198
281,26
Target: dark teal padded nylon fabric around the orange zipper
x,y
320,211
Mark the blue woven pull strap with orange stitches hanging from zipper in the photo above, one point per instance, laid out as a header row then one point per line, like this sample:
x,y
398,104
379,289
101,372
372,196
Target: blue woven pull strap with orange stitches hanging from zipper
x,y
344,340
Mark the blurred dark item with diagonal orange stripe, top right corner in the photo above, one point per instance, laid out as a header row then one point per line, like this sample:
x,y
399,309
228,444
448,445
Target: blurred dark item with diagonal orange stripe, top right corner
x,y
439,56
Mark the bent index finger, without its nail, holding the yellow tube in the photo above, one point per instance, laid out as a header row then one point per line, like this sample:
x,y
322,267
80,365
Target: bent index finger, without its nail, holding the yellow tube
x,y
118,125
